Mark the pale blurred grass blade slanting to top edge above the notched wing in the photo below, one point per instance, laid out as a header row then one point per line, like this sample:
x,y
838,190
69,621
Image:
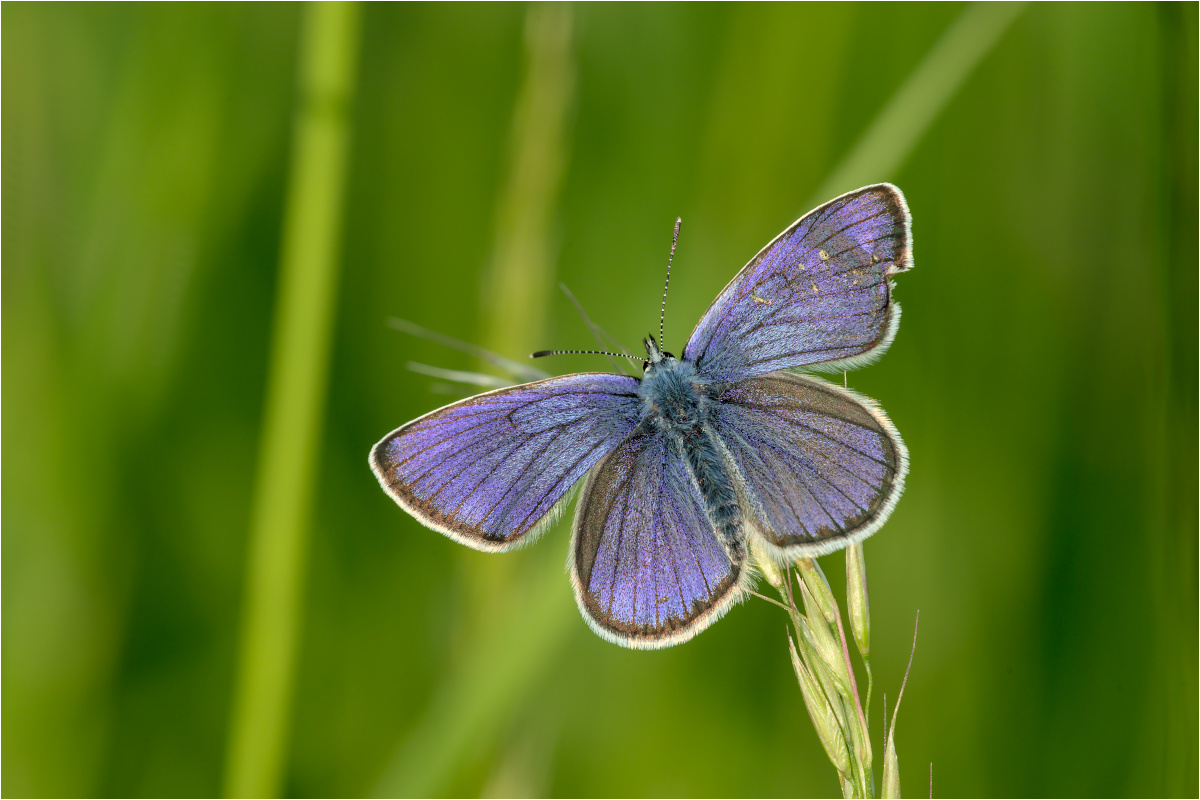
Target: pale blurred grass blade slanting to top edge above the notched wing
x,y
896,131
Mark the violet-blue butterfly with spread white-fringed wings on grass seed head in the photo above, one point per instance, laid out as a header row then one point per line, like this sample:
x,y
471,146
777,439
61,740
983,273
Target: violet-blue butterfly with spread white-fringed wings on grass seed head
x,y
710,461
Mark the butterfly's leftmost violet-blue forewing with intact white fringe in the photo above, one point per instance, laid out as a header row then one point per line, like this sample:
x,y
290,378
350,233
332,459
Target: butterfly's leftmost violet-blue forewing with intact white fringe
x,y
491,471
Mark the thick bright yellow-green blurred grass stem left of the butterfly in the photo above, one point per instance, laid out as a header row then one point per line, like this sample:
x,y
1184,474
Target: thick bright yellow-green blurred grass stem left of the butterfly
x,y
296,401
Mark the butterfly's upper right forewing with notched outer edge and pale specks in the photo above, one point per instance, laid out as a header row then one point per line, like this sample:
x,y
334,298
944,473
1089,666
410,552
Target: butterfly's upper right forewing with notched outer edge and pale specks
x,y
819,296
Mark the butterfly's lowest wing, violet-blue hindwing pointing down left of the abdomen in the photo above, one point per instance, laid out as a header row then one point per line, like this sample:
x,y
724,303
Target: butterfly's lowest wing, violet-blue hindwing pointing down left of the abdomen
x,y
647,568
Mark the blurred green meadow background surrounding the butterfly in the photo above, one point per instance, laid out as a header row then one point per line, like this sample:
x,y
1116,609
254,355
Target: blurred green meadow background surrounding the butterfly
x,y
1045,378
